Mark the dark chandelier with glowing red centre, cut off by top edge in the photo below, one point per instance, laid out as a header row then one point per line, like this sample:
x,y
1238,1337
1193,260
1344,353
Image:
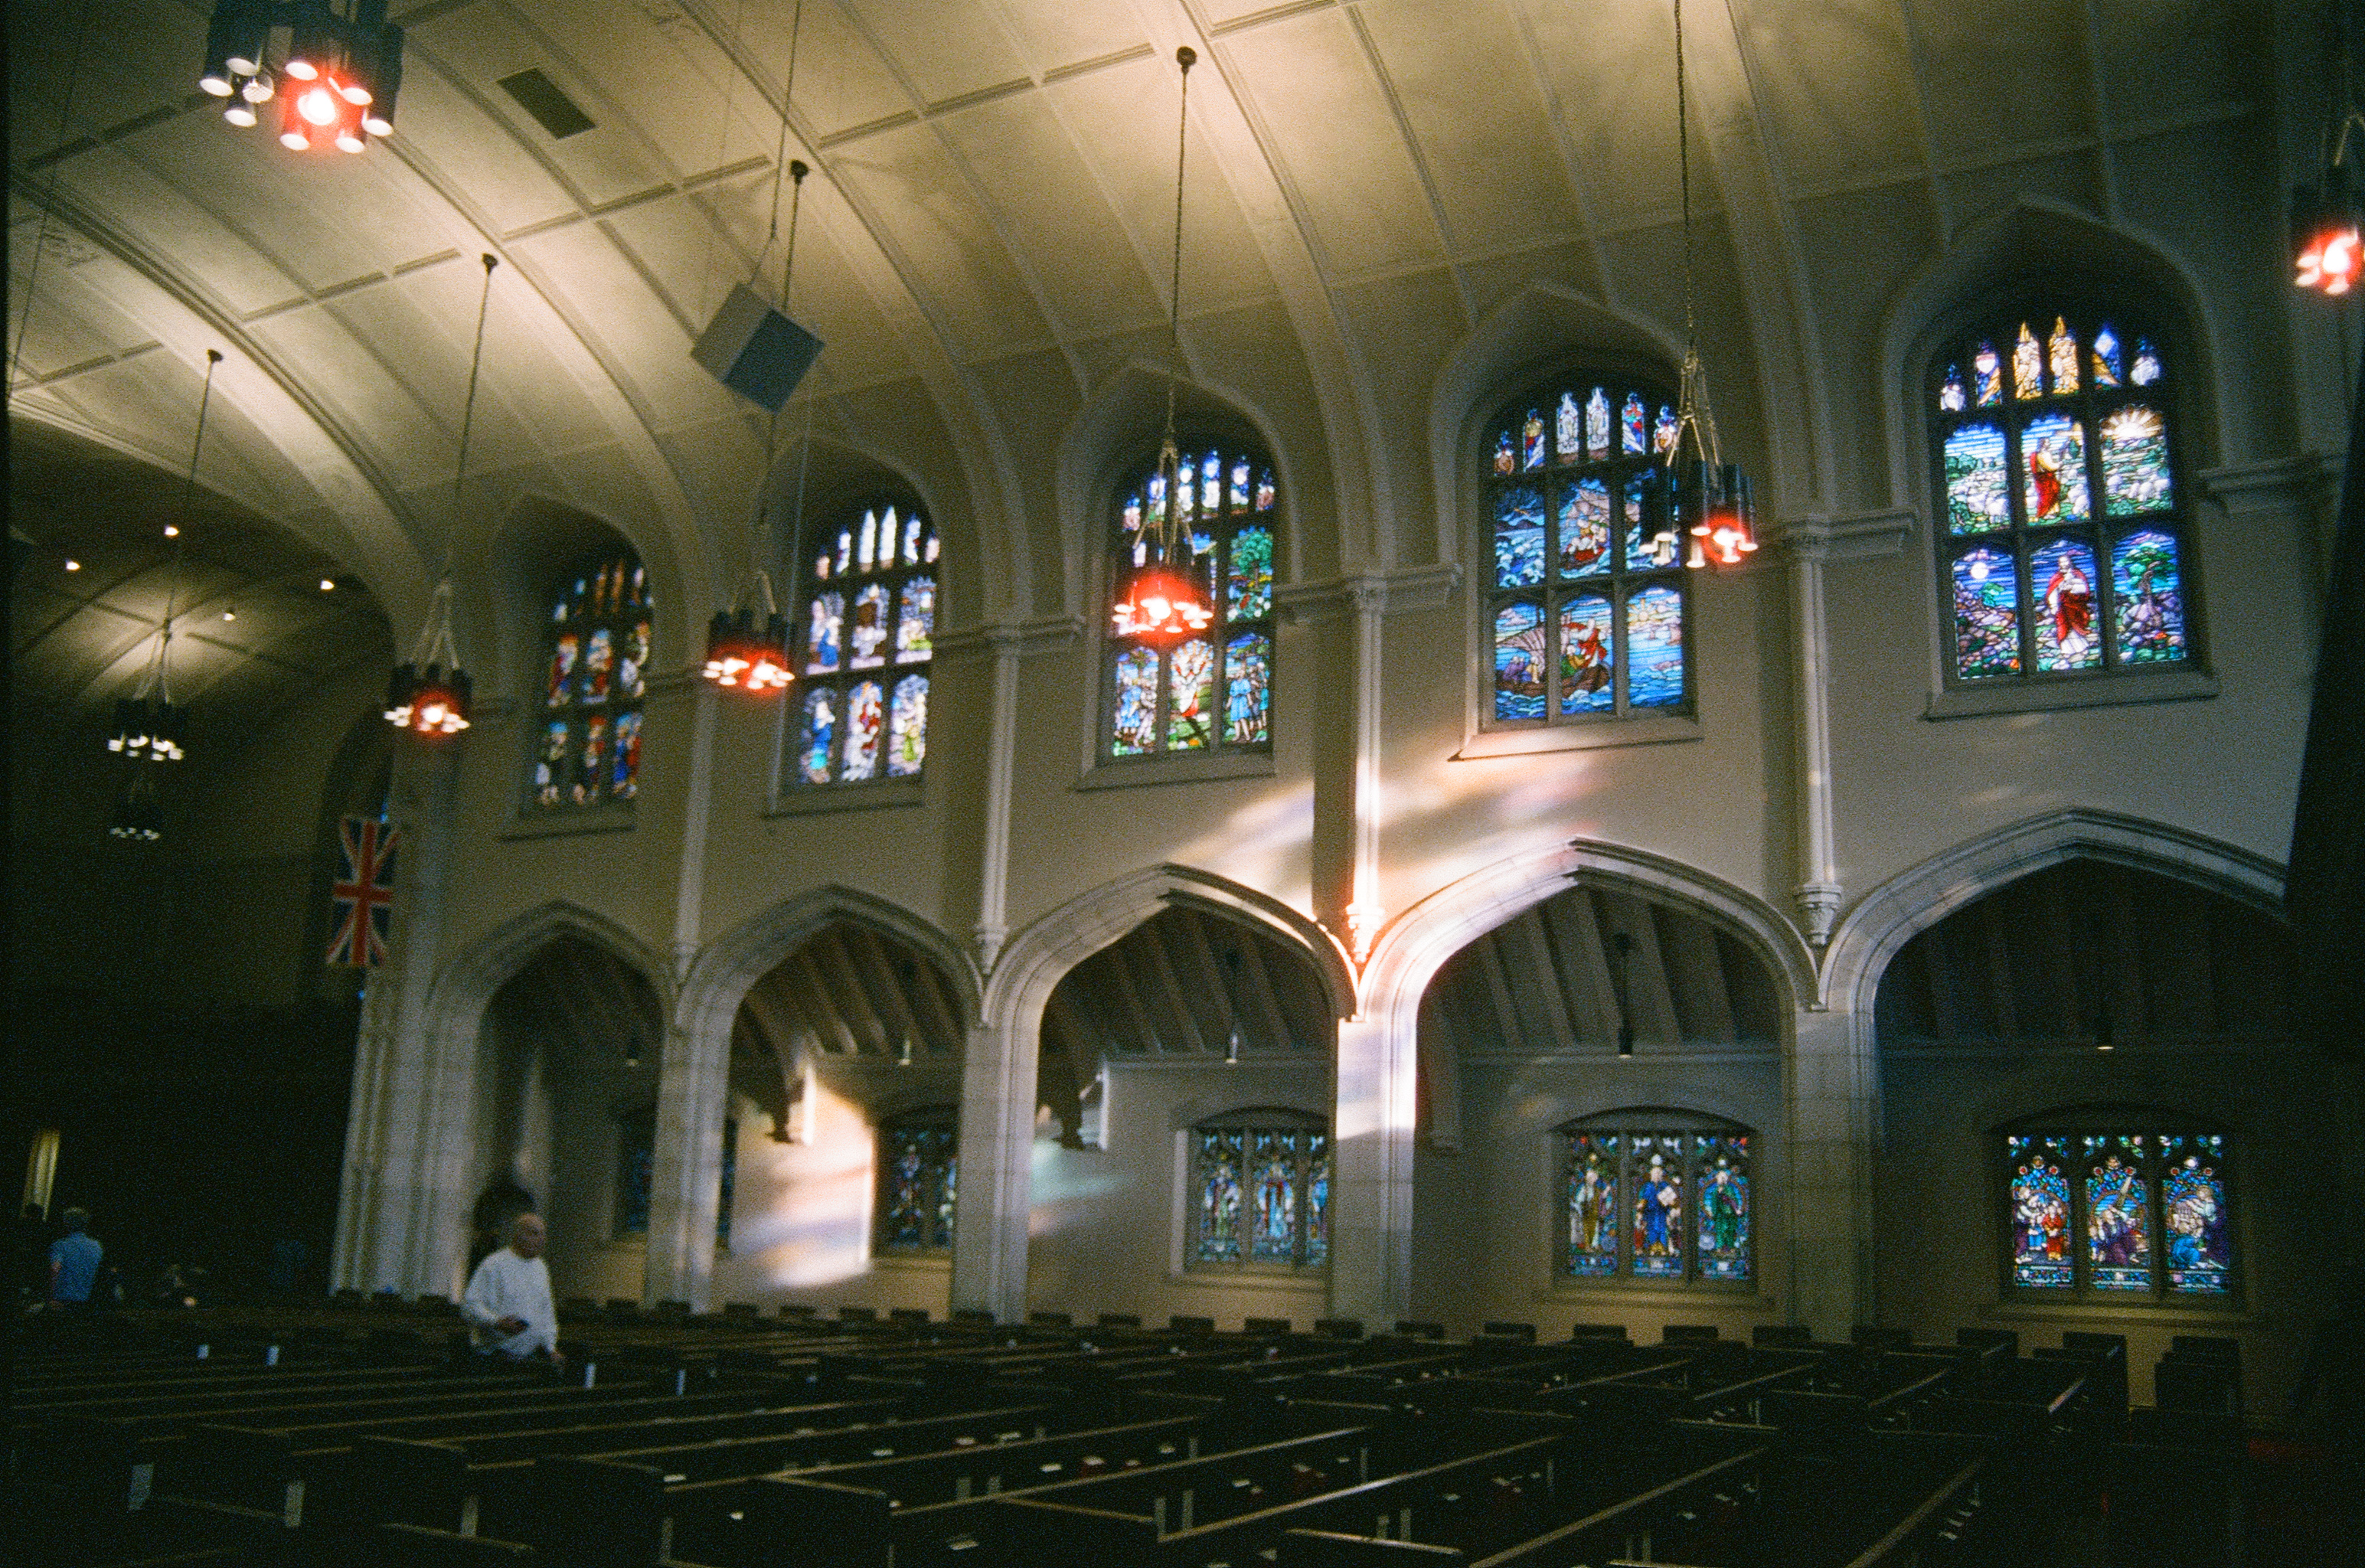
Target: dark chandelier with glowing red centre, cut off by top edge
x,y
342,67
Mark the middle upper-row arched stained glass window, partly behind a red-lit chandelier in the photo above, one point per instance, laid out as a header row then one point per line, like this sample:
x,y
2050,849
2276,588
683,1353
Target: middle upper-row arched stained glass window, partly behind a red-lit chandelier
x,y
1212,692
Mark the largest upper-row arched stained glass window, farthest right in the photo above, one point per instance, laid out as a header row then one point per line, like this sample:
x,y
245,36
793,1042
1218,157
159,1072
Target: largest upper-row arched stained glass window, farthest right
x,y
2063,529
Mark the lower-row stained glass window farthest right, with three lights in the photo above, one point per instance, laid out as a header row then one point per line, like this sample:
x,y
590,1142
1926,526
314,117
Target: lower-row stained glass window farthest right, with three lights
x,y
2115,1214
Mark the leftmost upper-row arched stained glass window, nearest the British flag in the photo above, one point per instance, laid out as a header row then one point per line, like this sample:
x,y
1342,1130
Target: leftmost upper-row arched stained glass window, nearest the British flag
x,y
588,734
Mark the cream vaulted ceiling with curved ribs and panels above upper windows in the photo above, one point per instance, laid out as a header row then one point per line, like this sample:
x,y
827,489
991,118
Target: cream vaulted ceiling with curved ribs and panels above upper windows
x,y
985,235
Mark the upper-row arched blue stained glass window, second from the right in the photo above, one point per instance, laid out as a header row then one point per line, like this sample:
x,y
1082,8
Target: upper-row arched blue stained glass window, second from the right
x,y
1586,609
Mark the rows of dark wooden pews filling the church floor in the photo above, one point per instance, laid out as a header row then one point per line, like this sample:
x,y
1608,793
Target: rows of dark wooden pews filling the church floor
x,y
798,1441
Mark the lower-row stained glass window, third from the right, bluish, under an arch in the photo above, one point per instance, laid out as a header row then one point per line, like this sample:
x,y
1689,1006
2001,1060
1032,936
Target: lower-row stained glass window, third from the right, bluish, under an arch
x,y
1262,1191
